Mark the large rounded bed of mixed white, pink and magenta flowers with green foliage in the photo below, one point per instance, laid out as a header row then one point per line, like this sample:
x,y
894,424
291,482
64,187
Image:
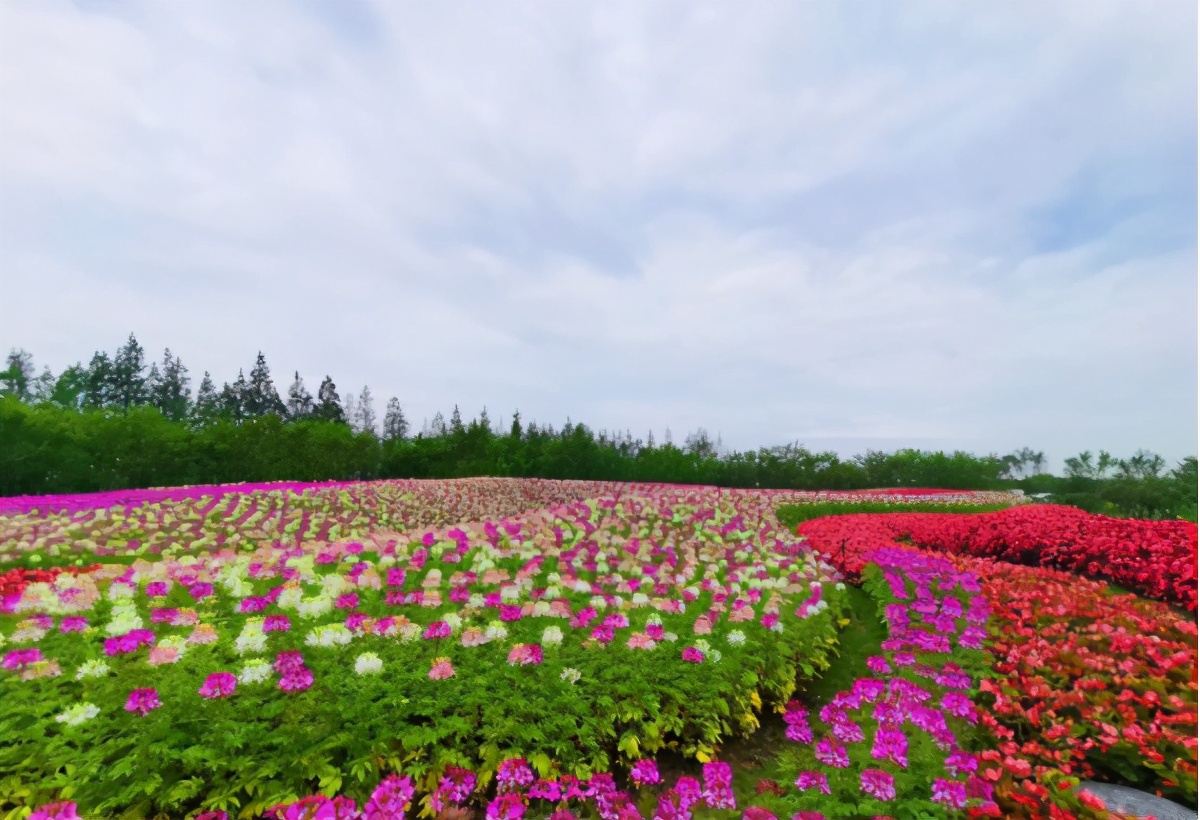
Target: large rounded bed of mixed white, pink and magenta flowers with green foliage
x,y
575,637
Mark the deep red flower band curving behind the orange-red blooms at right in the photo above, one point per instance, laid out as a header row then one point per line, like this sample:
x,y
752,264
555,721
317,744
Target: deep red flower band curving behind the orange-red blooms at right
x,y
1156,559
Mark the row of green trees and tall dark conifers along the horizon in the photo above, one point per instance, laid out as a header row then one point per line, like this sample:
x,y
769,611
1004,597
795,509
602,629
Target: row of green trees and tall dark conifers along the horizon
x,y
122,423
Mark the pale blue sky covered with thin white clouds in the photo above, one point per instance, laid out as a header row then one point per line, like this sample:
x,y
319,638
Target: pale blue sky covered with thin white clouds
x,y
869,225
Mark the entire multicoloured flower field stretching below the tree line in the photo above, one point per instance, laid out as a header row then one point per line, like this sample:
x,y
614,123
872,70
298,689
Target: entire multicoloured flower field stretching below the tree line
x,y
519,648
